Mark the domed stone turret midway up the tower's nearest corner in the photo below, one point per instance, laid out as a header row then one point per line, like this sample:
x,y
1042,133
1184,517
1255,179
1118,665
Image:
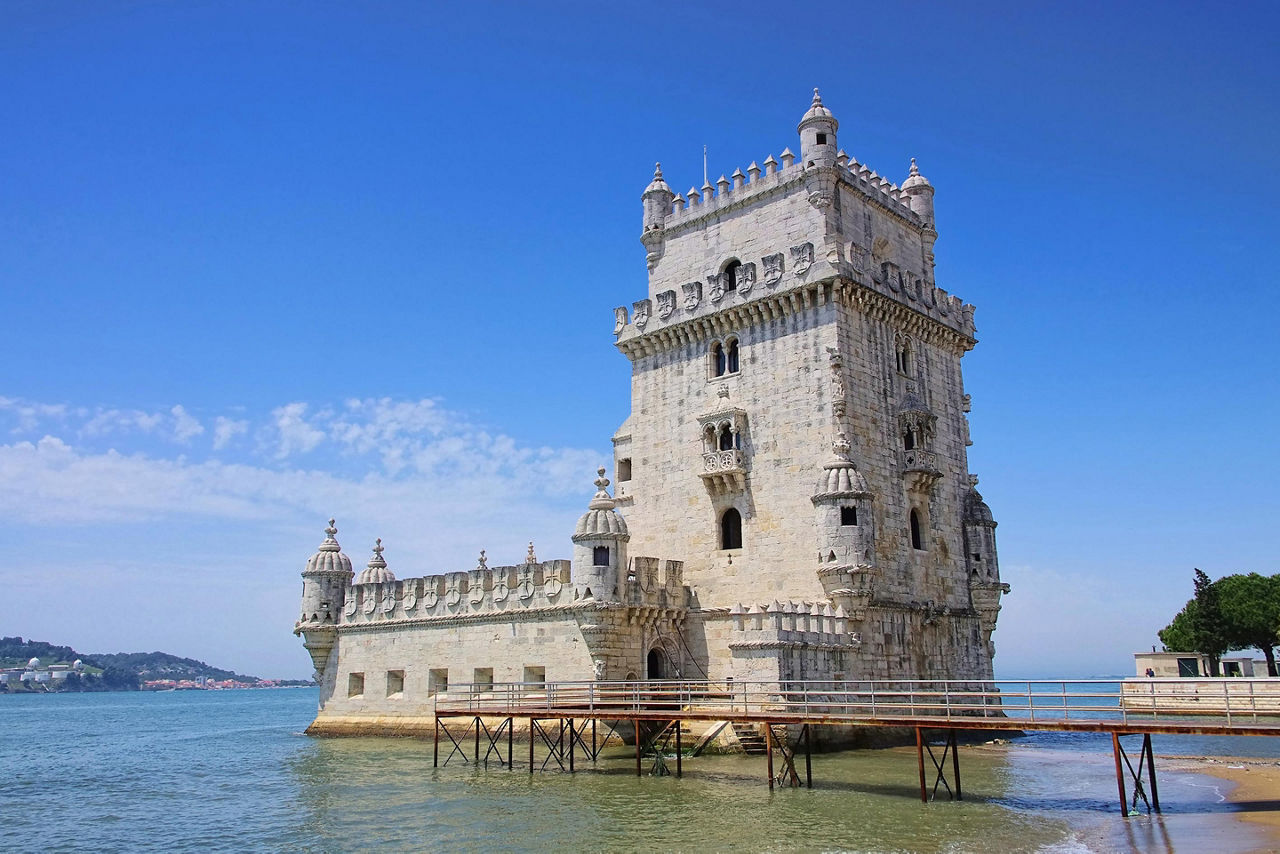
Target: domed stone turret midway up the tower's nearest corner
x,y
847,535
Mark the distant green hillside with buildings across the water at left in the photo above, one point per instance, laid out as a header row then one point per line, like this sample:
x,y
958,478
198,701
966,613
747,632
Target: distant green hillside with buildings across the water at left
x,y
118,672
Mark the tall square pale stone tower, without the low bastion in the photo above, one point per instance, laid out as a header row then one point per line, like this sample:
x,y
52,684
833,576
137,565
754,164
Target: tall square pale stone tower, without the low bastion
x,y
793,335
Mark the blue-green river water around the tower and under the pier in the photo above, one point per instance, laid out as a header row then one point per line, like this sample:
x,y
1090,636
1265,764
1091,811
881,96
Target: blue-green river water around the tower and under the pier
x,y
199,771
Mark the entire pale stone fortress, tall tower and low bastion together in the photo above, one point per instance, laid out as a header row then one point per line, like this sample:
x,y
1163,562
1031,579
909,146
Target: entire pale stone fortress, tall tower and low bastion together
x,y
792,494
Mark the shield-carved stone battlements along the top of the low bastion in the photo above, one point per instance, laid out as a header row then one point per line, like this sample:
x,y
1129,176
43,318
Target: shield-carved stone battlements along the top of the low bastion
x,y
650,582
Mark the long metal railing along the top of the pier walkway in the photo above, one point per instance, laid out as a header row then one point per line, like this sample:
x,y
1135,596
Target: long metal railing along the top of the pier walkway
x,y
1035,702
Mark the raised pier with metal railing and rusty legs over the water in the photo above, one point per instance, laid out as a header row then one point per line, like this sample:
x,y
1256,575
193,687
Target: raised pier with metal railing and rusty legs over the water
x,y
561,715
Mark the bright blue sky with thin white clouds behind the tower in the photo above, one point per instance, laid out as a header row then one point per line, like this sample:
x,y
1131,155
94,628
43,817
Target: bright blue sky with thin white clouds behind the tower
x,y
264,263
